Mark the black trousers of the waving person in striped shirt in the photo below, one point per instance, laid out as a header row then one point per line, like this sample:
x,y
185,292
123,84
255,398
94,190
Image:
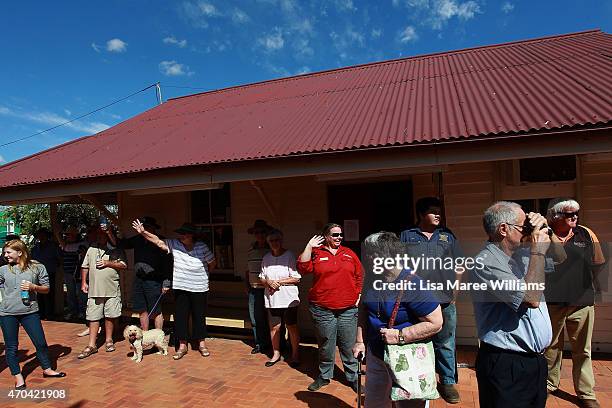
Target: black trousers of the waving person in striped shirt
x,y
194,304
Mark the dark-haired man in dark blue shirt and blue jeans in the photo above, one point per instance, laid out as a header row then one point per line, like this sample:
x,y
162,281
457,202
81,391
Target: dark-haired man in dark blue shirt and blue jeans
x,y
438,248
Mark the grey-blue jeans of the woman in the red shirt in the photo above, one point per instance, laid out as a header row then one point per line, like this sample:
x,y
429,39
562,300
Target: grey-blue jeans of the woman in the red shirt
x,y
335,327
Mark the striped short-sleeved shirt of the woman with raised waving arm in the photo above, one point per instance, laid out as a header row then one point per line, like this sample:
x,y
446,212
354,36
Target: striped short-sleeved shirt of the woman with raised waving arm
x,y
190,270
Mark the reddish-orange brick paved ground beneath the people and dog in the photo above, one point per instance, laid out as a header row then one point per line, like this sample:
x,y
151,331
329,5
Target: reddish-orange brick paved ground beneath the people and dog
x,y
230,377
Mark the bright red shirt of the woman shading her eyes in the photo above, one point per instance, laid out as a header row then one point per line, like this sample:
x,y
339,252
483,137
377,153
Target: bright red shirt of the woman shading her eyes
x,y
337,278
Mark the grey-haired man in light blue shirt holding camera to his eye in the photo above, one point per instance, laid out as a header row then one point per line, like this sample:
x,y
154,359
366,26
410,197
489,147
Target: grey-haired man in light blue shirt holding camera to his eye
x,y
511,316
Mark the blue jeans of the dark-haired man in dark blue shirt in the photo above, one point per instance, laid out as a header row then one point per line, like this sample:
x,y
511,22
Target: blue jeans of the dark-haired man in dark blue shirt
x,y
444,346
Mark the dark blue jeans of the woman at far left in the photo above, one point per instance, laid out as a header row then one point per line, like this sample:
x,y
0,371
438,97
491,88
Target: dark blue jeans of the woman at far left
x,y
32,326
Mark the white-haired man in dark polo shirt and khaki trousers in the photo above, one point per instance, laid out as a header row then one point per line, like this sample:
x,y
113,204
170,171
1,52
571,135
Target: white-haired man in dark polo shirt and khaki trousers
x,y
570,294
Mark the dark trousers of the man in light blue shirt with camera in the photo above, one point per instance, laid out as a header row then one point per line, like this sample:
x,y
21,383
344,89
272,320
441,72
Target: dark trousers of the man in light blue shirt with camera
x,y
510,379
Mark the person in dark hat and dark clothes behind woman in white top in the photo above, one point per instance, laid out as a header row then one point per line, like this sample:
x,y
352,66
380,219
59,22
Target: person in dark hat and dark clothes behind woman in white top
x,y
257,308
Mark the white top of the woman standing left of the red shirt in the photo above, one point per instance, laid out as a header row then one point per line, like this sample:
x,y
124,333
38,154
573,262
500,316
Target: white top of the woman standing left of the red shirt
x,y
276,268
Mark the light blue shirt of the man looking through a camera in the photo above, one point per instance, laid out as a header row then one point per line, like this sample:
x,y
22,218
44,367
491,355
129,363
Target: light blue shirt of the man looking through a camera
x,y
501,318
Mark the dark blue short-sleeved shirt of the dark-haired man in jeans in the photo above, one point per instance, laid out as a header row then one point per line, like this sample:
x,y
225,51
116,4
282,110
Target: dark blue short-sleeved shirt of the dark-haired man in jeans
x,y
442,245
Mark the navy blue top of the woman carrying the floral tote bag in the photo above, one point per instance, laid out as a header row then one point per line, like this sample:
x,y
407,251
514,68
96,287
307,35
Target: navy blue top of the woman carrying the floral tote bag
x,y
379,304
